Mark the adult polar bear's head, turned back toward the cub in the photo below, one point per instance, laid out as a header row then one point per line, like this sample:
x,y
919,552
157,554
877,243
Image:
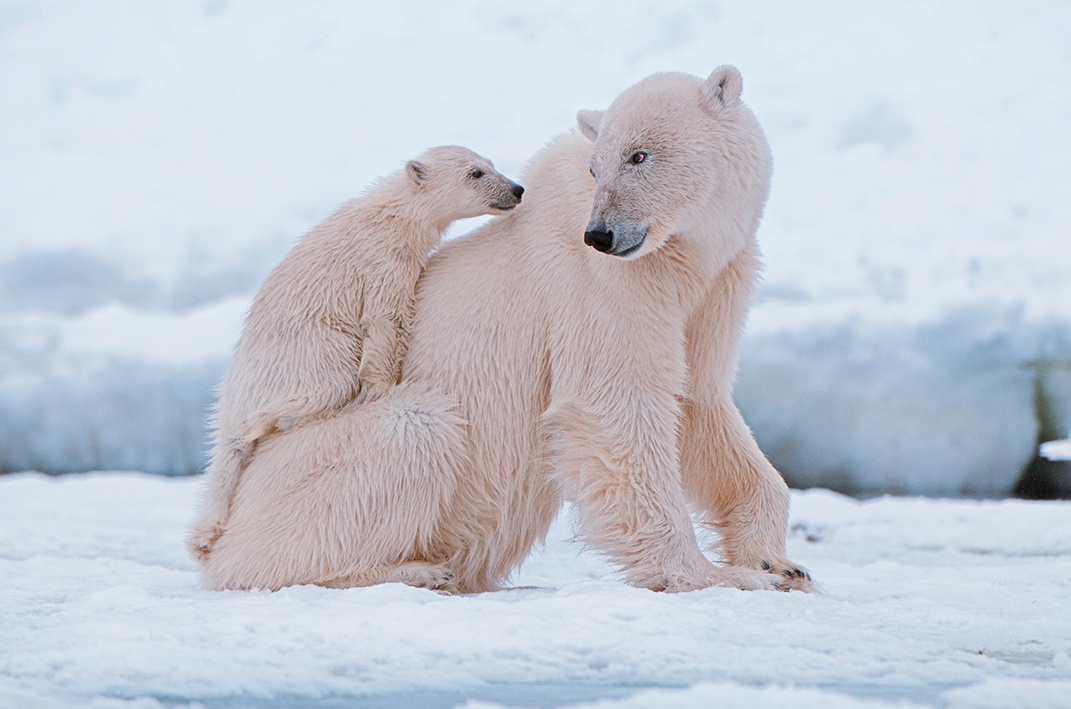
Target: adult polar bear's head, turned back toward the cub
x,y
676,157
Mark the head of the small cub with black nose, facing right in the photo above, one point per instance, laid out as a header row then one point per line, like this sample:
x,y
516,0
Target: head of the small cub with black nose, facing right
x,y
461,184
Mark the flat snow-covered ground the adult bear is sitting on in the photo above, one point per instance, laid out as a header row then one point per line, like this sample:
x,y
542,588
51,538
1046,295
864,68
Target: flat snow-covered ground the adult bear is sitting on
x,y
932,604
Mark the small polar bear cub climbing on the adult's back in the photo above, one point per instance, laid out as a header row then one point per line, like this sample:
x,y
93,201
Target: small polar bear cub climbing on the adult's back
x,y
331,323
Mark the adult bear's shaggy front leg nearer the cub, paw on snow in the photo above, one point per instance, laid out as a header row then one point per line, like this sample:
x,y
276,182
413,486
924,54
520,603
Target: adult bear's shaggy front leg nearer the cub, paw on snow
x,y
631,506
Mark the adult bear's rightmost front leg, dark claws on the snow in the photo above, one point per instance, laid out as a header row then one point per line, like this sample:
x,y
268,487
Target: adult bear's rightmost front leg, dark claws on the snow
x,y
728,477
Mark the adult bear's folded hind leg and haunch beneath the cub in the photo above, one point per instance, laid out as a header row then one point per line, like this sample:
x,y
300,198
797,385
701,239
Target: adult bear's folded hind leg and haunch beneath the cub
x,y
349,501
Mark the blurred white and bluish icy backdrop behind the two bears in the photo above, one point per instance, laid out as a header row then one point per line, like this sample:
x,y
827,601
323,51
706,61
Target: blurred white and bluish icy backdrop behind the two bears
x,y
914,331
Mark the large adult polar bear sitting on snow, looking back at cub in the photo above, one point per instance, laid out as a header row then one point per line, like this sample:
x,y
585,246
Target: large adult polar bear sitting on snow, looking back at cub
x,y
542,370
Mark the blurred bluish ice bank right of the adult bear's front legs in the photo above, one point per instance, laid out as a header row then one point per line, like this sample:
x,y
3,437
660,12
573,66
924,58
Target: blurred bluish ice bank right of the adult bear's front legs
x,y
947,408
